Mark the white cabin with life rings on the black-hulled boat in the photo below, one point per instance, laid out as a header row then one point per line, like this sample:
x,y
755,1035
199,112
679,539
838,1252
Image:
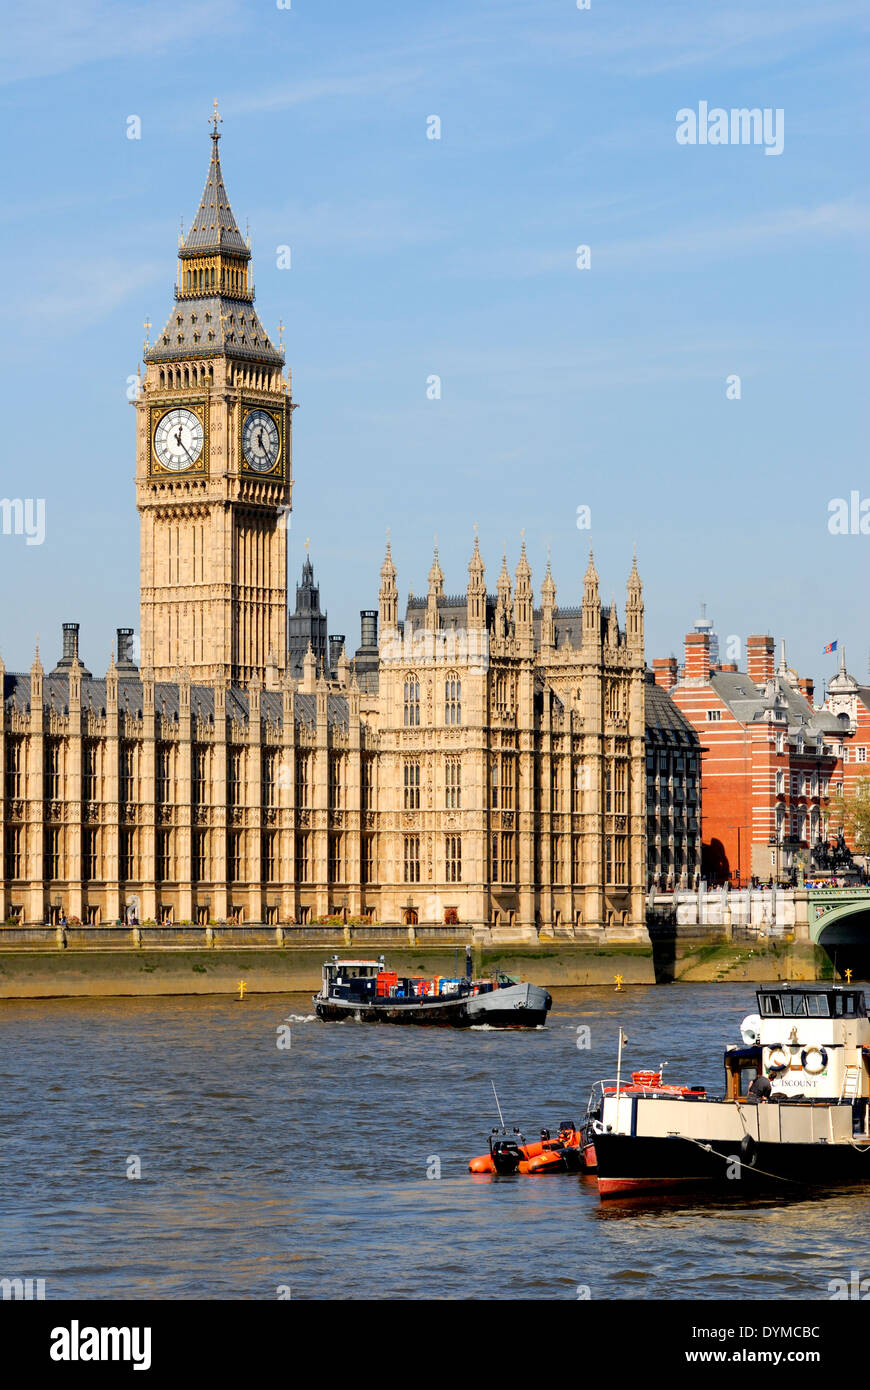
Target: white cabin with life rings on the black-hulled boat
x,y
810,1042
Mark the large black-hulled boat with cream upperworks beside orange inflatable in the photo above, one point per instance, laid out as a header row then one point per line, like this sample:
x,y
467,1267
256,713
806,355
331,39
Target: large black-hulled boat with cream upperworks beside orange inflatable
x,y
796,1114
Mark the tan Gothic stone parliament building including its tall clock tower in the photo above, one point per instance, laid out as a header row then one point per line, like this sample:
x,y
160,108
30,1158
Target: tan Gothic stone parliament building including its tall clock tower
x,y
479,761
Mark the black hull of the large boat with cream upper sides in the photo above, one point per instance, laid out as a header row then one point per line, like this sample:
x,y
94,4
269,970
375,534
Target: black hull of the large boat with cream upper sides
x,y
629,1166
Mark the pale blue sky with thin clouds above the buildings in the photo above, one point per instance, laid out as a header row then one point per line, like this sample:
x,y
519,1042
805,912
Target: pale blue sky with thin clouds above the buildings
x,y
562,389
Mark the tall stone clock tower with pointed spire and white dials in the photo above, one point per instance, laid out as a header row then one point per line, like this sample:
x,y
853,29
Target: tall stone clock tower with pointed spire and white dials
x,y
213,466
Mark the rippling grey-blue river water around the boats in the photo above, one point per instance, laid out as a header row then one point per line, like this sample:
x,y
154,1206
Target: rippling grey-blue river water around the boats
x,y
308,1167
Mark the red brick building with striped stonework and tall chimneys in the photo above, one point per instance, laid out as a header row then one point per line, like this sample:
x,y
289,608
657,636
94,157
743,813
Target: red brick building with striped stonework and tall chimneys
x,y
771,760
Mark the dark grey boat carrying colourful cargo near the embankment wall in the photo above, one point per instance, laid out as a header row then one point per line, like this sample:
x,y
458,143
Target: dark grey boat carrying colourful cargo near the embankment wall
x,y
366,990
